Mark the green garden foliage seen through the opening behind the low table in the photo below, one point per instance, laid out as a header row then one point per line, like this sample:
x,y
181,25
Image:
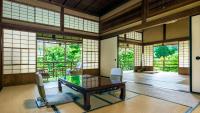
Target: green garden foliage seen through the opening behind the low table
x,y
57,58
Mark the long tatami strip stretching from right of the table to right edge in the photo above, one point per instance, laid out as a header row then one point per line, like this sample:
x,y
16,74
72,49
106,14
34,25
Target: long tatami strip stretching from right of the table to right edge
x,y
183,98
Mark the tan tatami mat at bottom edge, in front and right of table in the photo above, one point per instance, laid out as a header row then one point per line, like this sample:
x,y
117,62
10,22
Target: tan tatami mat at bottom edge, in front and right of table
x,y
143,104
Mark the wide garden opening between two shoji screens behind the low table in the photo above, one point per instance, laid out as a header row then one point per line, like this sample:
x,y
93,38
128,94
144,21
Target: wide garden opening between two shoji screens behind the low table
x,y
58,58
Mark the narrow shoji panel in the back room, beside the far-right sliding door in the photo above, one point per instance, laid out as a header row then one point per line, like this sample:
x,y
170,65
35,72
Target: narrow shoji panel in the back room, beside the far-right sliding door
x,y
184,54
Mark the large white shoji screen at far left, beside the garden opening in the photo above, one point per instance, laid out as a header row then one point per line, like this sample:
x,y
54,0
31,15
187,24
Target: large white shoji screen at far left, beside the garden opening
x,y
19,51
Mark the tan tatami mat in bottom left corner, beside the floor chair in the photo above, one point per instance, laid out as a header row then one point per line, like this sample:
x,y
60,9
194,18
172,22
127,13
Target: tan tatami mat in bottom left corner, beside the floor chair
x,y
20,99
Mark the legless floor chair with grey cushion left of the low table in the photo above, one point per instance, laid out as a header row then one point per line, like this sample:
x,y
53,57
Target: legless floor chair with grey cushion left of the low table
x,y
49,100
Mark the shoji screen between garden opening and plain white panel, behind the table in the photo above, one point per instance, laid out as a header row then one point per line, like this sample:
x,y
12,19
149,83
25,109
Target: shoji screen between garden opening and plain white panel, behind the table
x,y
90,54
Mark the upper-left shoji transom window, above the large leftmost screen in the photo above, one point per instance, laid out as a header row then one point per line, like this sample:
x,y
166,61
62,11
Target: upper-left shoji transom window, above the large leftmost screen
x,y
31,14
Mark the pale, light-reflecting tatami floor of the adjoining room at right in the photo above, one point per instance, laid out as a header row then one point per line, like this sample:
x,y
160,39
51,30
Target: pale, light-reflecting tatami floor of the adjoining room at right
x,y
166,80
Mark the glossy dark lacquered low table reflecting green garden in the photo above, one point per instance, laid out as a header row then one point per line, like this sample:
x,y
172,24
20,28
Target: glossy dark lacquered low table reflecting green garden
x,y
89,84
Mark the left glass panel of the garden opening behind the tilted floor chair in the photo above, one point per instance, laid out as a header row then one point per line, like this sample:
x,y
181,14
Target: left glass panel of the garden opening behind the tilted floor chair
x,y
51,57
